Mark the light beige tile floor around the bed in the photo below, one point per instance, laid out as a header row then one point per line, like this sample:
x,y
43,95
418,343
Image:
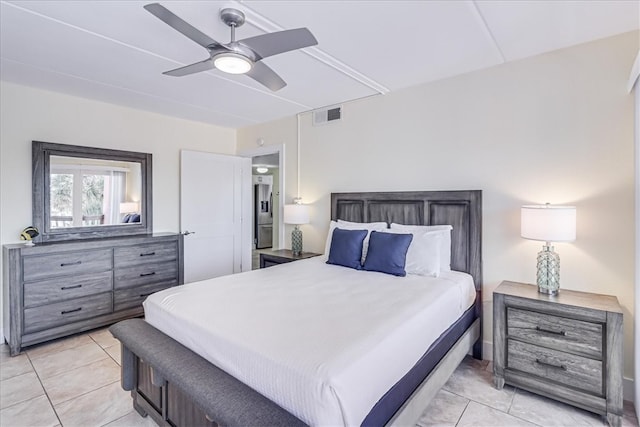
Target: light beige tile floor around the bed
x,y
76,382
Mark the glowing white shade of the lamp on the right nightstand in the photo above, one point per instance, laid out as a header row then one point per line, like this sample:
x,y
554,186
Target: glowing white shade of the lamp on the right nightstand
x,y
548,223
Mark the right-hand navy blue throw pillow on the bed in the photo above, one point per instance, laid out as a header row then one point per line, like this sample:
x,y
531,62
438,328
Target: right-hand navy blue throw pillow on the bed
x,y
387,253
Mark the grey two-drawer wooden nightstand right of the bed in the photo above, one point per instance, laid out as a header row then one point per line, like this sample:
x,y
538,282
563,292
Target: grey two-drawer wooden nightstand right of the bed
x,y
567,347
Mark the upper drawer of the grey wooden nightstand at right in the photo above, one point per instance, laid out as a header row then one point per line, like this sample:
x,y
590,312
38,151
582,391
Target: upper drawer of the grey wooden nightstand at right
x,y
556,332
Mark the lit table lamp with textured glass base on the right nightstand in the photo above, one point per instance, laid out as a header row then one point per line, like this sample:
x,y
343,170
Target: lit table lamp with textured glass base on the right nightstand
x,y
549,224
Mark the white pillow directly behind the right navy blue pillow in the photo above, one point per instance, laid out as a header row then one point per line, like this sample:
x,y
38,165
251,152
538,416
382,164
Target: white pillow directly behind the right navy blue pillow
x,y
423,256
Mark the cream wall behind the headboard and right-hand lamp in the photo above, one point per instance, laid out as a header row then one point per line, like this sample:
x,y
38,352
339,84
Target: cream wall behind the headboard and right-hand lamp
x,y
555,128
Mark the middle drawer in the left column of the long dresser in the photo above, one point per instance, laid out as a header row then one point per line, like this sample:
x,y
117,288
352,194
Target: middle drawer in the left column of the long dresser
x,y
64,288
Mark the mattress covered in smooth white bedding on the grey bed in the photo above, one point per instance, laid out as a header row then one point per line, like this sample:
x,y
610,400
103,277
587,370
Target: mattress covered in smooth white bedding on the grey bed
x,y
324,342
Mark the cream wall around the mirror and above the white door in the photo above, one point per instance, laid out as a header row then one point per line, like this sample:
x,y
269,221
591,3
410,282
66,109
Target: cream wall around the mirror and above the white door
x,y
28,114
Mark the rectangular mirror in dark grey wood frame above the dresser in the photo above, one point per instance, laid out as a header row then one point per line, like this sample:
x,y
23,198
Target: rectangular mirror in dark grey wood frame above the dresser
x,y
86,192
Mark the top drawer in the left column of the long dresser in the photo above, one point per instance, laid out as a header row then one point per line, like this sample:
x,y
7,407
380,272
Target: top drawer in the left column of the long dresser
x,y
66,263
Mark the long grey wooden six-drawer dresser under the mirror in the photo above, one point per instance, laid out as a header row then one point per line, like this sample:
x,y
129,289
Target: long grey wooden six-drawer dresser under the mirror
x,y
51,290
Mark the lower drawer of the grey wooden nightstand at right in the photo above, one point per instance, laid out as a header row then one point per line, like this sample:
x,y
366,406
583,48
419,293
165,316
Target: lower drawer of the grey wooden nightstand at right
x,y
575,371
